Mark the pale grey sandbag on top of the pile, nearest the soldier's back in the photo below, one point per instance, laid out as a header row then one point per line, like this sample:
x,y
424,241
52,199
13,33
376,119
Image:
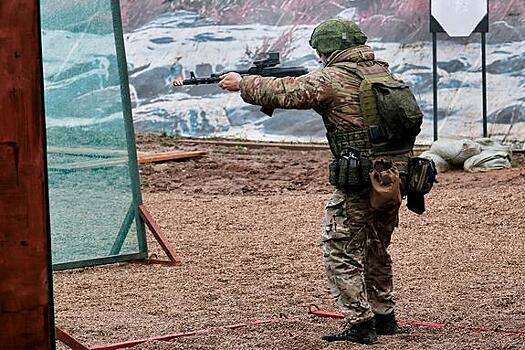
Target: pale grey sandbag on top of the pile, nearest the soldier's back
x,y
455,151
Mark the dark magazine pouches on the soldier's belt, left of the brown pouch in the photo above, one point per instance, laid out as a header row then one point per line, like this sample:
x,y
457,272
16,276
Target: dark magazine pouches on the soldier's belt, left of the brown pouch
x,y
349,170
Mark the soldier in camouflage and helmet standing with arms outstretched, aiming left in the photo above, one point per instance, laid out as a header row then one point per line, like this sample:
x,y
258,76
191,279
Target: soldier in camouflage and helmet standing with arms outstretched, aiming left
x,y
369,168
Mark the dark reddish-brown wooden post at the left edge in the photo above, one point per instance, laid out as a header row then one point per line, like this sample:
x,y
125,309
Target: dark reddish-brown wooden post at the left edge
x,y
26,311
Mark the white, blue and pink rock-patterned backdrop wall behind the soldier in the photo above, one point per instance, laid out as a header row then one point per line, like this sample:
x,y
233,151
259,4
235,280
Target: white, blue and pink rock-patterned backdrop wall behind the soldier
x,y
204,36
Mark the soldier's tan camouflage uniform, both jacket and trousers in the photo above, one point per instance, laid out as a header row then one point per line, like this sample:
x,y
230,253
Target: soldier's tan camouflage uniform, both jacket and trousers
x,y
355,237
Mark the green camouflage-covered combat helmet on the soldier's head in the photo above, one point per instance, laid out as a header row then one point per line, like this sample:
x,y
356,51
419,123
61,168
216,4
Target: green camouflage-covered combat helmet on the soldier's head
x,y
336,34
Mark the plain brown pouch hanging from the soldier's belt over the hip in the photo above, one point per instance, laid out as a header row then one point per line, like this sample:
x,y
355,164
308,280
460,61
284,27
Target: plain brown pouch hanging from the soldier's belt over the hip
x,y
385,193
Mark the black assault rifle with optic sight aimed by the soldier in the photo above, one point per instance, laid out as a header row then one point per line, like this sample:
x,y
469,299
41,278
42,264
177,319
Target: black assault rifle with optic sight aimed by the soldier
x,y
265,68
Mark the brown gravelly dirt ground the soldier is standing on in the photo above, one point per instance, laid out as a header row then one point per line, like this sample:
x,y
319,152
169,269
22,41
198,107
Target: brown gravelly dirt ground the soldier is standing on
x,y
246,223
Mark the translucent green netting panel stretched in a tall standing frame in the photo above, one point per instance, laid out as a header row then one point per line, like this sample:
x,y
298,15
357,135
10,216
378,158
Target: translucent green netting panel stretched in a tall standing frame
x,y
93,186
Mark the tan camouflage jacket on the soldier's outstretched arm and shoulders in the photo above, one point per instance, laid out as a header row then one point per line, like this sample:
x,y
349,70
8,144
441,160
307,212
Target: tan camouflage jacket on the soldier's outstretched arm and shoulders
x,y
333,91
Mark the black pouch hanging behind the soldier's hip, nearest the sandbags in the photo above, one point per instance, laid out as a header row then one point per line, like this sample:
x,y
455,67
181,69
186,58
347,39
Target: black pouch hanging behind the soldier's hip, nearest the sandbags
x,y
421,178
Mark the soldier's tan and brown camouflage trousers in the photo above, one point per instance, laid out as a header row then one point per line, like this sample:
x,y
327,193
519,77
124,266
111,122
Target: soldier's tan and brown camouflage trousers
x,y
355,239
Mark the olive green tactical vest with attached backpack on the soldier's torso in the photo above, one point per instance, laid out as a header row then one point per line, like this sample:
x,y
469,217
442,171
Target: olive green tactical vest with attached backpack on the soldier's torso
x,y
390,112
